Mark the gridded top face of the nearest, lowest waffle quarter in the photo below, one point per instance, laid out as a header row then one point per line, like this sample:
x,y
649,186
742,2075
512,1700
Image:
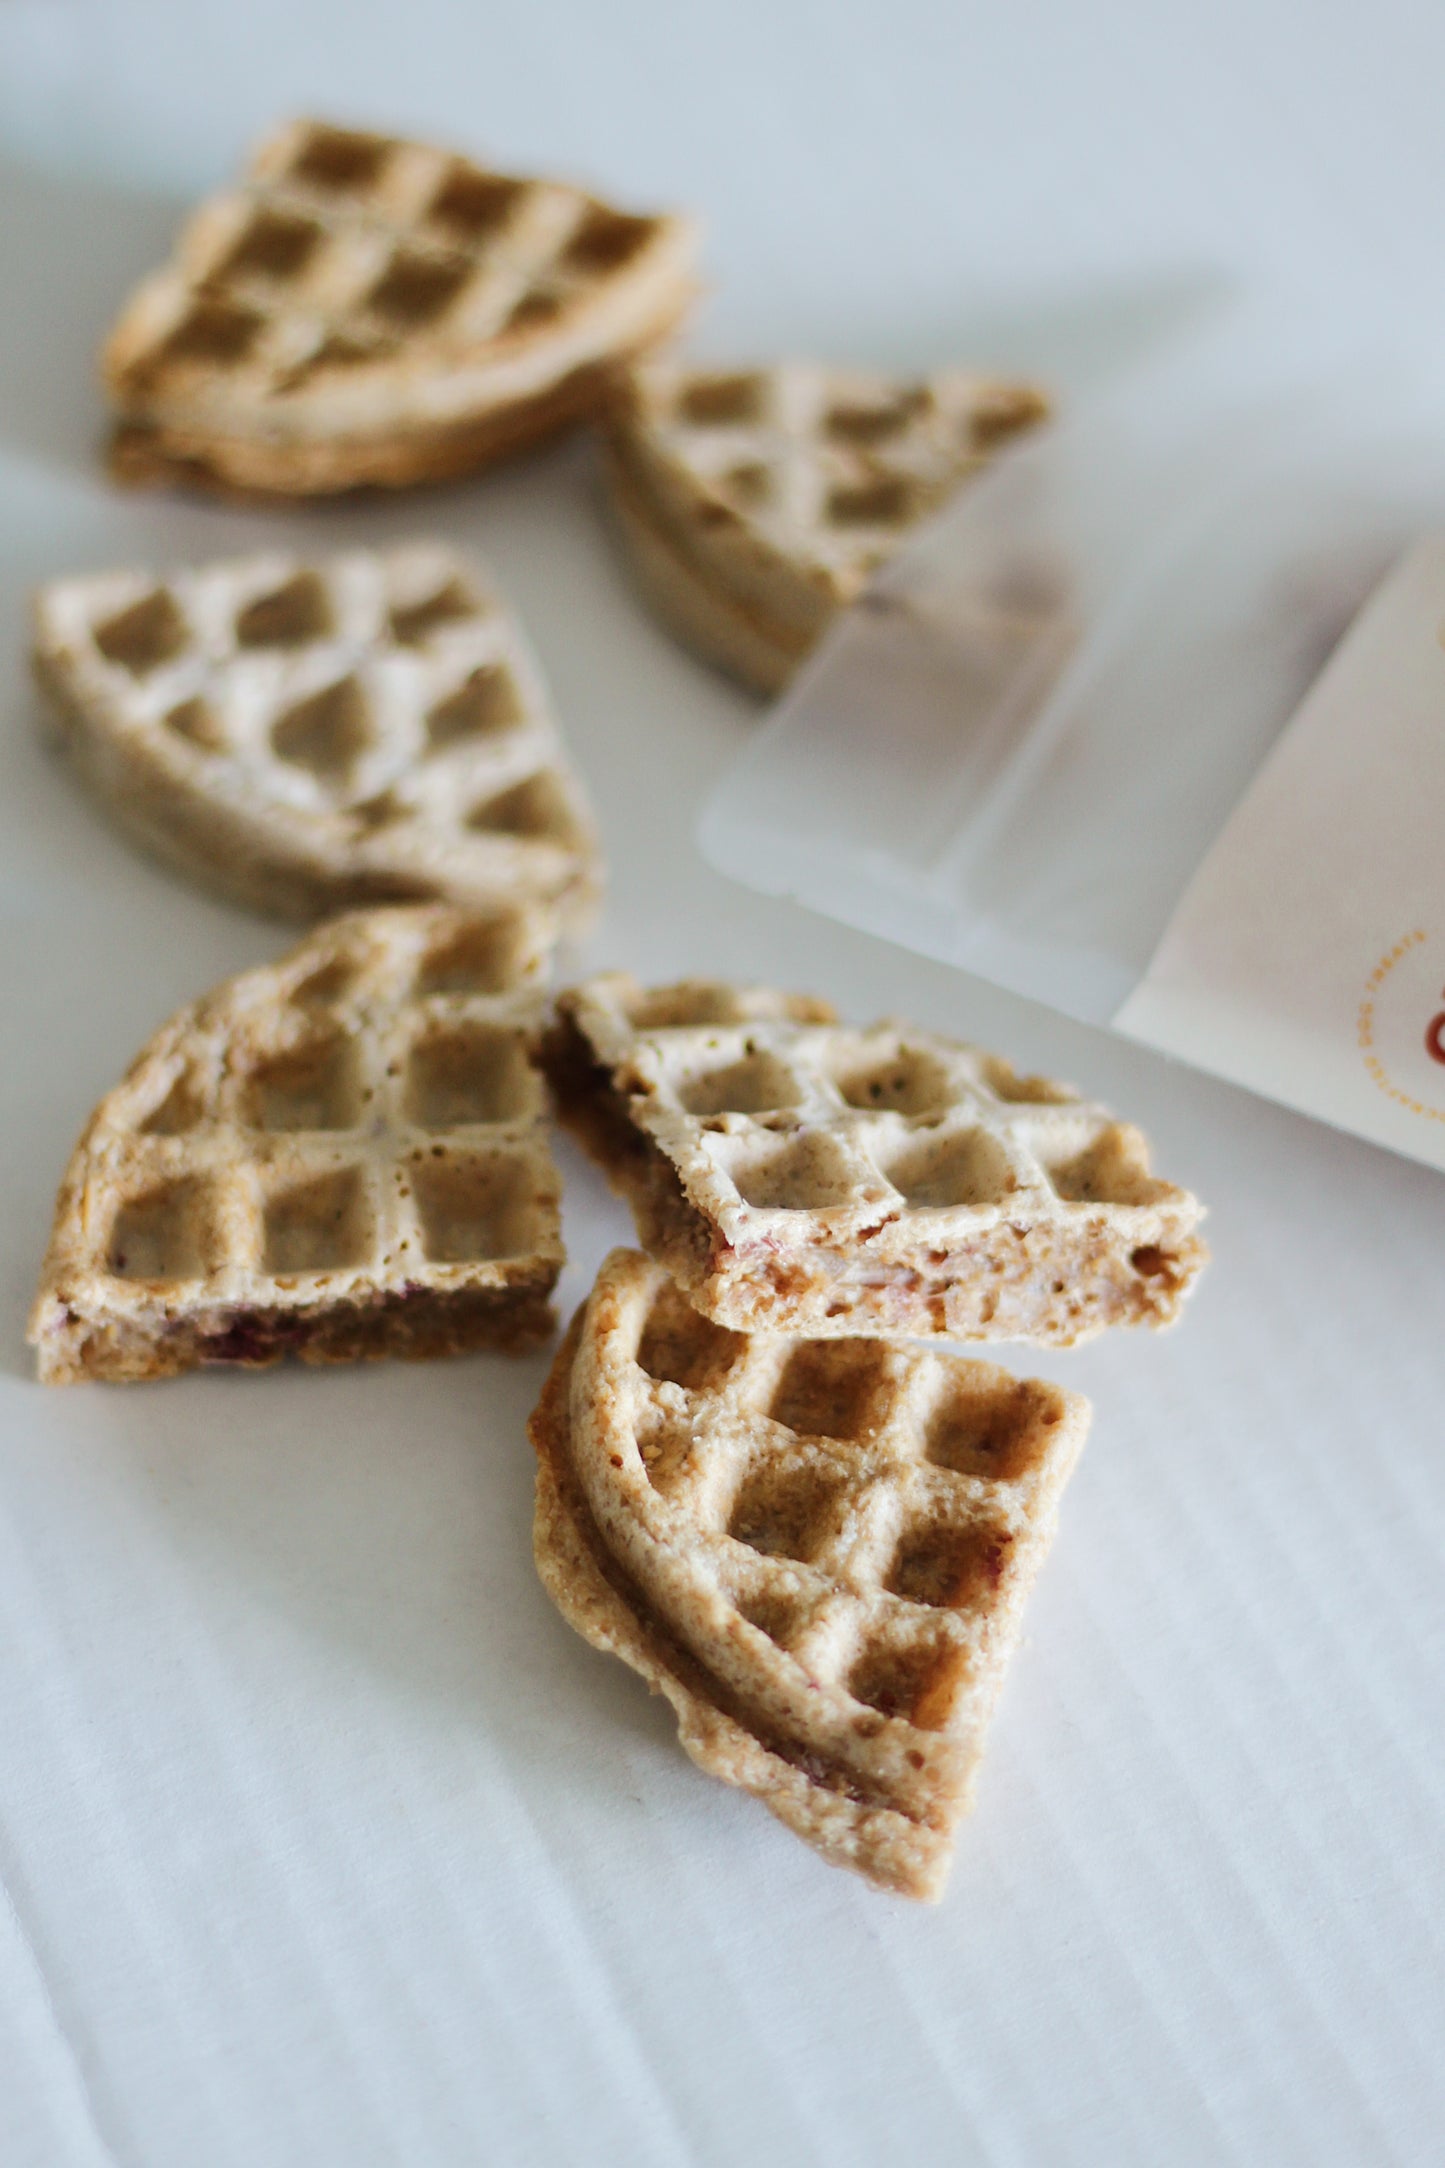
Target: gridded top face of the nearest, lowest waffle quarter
x,y
855,1501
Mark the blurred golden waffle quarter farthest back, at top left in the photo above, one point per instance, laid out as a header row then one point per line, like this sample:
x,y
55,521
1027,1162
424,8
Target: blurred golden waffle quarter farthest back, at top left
x,y
361,311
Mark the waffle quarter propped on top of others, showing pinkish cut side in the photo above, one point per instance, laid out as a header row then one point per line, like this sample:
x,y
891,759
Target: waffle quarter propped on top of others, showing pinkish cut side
x,y
798,1176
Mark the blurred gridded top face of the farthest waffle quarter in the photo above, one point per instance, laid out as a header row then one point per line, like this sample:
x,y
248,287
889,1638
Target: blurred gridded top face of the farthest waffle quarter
x,y
348,250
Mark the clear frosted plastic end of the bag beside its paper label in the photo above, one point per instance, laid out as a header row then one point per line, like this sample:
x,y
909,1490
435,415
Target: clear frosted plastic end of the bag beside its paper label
x,y
1021,749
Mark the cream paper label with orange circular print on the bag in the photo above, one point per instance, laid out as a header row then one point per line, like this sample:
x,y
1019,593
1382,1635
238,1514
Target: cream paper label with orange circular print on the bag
x,y
1307,955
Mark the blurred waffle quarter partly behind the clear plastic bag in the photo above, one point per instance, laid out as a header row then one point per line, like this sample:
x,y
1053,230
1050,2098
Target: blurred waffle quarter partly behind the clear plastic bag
x,y
759,502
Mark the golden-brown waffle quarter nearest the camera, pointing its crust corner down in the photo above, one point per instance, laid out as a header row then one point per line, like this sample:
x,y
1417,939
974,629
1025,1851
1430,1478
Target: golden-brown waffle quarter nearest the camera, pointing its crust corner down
x,y
816,1549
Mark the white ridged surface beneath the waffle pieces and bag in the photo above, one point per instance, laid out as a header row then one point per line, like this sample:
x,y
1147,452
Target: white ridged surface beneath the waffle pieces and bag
x,y
322,1840
